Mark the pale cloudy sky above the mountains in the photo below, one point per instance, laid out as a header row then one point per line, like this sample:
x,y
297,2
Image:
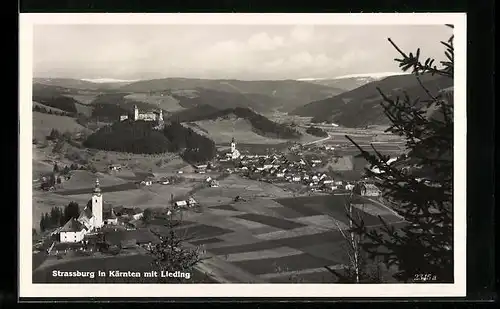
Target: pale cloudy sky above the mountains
x,y
246,52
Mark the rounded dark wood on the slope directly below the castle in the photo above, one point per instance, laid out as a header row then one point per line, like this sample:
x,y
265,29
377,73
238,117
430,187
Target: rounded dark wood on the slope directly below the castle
x,y
129,136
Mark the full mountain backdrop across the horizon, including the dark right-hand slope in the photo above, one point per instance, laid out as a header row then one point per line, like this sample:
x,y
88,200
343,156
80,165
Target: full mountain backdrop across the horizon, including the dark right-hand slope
x,y
351,100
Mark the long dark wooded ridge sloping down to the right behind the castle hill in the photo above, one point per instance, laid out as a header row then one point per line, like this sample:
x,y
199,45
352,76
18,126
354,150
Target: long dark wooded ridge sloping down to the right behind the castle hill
x,y
261,125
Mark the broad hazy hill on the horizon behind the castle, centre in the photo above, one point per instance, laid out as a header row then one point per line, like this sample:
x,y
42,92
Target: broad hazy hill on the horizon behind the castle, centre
x,y
283,94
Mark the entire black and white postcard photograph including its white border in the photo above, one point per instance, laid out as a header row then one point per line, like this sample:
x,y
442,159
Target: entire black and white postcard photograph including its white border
x,y
286,152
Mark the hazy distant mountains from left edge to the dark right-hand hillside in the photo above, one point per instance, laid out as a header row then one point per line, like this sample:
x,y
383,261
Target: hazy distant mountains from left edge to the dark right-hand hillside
x,y
283,95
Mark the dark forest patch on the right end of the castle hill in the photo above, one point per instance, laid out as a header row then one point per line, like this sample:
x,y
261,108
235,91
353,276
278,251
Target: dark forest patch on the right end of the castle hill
x,y
193,146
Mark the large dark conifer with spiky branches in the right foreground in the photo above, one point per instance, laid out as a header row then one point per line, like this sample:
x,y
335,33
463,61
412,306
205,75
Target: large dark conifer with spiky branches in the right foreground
x,y
420,186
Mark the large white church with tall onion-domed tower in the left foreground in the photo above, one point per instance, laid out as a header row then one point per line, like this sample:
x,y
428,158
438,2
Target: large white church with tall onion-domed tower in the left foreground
x,y
89,220
